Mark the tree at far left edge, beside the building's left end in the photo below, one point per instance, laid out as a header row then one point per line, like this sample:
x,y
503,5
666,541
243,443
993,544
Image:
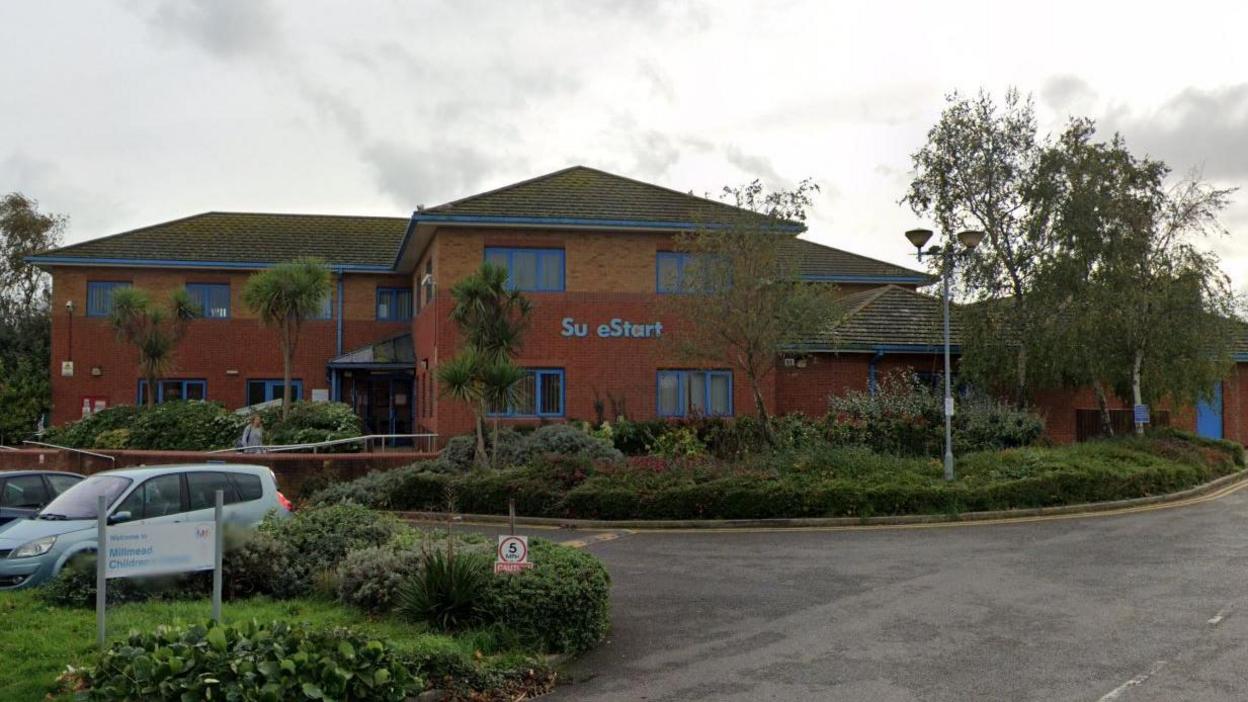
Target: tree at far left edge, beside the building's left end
x,y
26,327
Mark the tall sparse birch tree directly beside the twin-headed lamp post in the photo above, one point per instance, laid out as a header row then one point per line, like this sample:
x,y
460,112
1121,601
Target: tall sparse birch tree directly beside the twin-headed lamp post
x,y
980,169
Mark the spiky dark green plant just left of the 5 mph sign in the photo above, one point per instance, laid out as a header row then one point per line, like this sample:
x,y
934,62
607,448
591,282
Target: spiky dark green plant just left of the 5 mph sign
x,y
447,591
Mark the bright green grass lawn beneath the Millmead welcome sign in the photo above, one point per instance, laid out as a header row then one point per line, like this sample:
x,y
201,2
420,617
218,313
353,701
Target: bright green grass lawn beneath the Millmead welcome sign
x,y
38,641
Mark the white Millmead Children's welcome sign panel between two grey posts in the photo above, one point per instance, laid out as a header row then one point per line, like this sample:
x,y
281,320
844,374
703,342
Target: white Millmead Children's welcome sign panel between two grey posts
x,y
148,550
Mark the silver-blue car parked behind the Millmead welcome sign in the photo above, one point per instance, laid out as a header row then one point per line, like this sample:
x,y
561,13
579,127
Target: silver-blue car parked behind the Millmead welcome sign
x,y
33,551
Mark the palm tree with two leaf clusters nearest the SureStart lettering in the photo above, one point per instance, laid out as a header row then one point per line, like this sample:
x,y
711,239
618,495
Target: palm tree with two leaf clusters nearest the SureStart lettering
x,y
492,319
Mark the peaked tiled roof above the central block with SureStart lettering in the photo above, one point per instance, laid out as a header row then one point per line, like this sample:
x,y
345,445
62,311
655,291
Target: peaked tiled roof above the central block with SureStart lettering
x,y
581,194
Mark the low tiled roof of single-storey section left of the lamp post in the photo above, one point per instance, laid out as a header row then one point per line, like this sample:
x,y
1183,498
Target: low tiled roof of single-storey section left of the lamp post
x,y
889,317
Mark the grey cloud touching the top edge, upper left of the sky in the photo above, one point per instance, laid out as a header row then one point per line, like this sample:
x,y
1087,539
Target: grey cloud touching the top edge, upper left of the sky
x,y
227,29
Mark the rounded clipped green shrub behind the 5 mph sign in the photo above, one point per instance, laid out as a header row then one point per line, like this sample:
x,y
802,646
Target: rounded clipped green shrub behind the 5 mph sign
x,y
560,605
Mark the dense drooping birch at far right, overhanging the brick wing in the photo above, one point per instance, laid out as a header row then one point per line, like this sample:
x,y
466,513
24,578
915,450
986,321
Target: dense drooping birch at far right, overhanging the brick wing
x,y
1140,309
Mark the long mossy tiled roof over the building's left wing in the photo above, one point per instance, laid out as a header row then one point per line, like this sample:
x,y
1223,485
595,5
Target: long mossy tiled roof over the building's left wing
x,y
250,238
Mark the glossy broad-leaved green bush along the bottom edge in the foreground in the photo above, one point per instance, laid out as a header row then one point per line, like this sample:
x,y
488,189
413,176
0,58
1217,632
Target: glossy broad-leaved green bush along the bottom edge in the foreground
x,y
253,661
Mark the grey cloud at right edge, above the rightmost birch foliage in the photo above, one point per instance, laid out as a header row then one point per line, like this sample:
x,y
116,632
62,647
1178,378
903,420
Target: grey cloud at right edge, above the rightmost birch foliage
x,y
1206,129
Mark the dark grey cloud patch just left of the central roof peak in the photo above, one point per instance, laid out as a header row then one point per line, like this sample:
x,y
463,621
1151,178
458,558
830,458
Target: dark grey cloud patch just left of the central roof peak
x,y
429,175
